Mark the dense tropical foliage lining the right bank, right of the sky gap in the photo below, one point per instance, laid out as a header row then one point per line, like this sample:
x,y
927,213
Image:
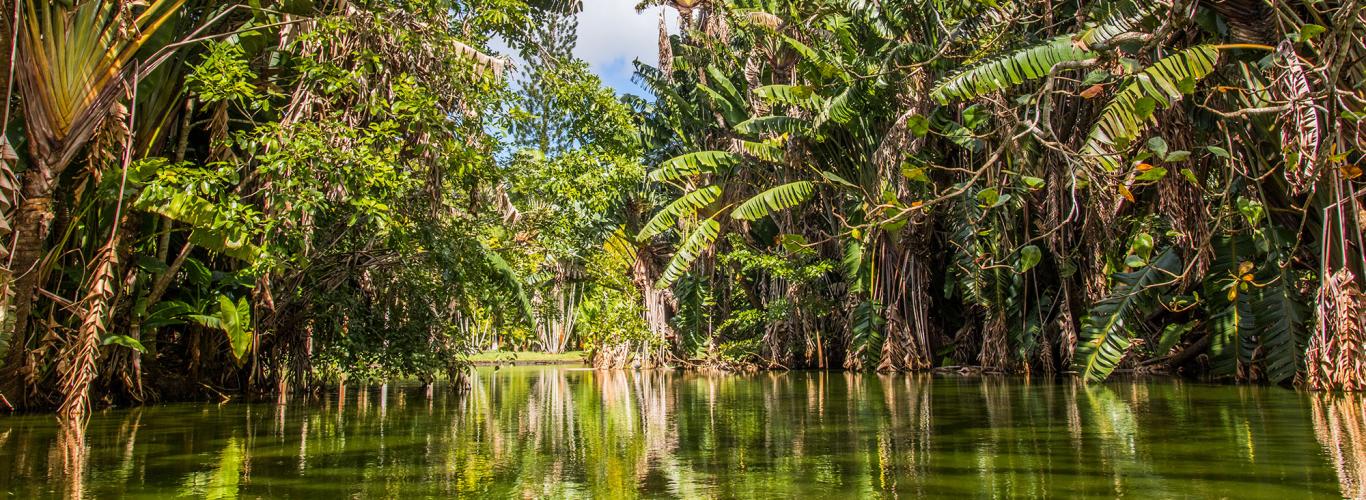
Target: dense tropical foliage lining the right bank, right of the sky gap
x,y
1021,186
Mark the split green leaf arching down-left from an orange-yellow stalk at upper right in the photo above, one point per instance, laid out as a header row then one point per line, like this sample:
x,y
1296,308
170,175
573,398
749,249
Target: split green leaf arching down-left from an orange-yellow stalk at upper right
x,y
1133,107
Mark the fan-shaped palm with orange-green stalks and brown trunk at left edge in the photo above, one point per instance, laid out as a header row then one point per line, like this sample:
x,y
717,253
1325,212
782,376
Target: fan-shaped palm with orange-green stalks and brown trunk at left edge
x,y
73,66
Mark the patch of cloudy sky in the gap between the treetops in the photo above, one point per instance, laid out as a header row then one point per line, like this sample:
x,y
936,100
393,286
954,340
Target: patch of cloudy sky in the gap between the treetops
x,y
611,36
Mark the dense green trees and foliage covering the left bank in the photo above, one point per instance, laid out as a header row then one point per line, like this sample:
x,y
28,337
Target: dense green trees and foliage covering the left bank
x,y
262,197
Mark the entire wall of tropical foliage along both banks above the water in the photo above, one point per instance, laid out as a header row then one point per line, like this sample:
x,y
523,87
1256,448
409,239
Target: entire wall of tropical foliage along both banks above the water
x,y
263,197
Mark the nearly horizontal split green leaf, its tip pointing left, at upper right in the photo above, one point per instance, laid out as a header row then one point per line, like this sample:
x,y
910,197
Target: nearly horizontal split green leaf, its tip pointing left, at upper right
x,y
1010,70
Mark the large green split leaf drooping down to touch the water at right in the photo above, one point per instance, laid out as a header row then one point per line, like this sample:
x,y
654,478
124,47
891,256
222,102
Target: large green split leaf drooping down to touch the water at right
x,y
1110,326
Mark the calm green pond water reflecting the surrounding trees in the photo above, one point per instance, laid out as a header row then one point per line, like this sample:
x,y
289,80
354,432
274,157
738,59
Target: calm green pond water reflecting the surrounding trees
x,y
561,432
